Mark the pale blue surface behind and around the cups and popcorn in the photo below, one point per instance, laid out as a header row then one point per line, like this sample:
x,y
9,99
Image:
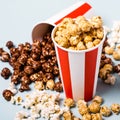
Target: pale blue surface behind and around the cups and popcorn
x,y
17,19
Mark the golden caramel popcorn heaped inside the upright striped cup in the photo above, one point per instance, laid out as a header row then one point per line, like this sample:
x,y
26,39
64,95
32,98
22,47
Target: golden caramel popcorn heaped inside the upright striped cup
x,y
79,33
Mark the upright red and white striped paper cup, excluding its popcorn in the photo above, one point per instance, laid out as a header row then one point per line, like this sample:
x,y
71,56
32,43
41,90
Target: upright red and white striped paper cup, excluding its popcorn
x,y
79,70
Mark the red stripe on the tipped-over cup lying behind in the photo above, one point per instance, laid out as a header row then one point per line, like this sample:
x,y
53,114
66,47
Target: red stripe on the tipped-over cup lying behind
x,y
77,12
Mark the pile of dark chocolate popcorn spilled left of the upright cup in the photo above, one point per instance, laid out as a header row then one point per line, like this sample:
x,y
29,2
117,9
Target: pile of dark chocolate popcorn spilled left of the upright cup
x,y
31,63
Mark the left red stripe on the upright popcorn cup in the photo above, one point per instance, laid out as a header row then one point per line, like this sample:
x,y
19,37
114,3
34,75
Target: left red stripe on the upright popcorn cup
x,y
65,71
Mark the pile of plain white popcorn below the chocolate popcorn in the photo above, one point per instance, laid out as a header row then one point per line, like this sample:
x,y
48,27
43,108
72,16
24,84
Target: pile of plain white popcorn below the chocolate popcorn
x,y
42,104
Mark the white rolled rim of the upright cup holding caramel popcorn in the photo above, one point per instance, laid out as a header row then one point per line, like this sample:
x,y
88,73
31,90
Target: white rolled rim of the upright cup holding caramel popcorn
x,y
77,51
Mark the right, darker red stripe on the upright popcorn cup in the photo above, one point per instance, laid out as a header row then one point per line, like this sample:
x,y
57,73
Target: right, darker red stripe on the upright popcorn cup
x,y
90,68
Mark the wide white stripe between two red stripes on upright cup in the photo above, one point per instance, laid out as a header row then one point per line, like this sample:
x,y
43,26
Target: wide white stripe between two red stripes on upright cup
x,y
77,62
